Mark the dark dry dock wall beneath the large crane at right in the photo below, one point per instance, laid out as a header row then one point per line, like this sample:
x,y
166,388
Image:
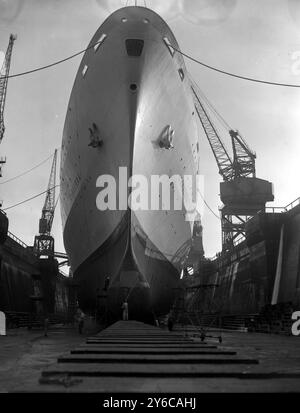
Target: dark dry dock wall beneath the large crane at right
x,y
245,278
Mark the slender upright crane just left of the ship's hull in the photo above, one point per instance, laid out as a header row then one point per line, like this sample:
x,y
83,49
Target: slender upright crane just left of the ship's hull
x,y
44,242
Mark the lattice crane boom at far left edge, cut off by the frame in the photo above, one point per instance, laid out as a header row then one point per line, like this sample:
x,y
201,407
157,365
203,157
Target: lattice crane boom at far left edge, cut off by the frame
x,y
4,80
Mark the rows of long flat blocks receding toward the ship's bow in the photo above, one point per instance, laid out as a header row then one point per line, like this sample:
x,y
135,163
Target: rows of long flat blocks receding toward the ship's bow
x,y
136,357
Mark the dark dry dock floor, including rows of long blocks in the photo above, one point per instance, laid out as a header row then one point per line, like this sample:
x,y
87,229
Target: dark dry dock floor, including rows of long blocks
x,y
135,357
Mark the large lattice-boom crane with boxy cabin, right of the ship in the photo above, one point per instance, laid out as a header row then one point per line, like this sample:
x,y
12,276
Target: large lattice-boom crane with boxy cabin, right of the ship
x,y
242,194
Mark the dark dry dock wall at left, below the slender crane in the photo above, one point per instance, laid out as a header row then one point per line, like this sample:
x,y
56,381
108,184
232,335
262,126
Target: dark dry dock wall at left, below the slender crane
x,y
30,285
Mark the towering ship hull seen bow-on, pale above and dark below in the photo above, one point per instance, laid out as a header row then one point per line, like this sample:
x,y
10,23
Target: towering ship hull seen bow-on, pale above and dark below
x,y
131,101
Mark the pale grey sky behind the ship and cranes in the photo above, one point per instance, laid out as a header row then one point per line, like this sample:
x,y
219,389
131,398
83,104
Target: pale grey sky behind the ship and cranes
x,y
256,38
